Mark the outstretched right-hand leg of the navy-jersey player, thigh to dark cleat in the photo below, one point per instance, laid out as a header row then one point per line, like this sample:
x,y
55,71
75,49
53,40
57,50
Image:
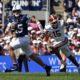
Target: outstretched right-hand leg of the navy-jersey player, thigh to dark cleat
x,y
27,49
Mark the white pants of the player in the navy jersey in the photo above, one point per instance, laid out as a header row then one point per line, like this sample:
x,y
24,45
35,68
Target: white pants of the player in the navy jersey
x,y
23,43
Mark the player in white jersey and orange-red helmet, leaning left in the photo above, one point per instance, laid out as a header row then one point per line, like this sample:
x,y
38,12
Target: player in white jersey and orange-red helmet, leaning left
x,y
56,28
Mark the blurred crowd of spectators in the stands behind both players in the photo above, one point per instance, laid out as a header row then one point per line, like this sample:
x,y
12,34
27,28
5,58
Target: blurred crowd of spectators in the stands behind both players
x,y
40,40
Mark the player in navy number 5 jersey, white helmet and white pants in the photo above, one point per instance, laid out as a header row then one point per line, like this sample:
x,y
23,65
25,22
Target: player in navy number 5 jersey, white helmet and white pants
x,y
17,26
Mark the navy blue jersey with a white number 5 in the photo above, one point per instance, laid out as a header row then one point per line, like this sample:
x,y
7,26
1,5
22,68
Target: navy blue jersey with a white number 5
x,y
20,24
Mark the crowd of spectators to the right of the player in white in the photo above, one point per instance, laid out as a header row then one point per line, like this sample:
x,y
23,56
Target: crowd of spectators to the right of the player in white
x,y
72,20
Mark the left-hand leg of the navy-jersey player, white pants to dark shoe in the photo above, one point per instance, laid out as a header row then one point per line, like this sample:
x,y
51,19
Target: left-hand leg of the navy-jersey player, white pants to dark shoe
x,y
13,45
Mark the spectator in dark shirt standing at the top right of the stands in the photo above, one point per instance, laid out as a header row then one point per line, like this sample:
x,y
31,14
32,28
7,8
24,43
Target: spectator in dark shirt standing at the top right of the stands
x,y
68,6
